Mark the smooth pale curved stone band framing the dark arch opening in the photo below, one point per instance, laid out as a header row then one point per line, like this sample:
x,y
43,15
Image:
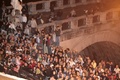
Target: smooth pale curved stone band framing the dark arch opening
x,y
84,41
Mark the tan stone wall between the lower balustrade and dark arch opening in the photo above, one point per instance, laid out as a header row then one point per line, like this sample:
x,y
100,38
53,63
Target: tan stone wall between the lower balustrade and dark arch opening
x,y
103,32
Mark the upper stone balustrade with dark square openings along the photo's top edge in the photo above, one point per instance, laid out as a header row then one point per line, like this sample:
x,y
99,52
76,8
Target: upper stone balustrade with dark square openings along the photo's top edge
x,y
44,6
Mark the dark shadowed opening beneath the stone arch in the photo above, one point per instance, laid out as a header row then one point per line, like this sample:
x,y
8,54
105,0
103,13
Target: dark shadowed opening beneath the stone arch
x,y
107,51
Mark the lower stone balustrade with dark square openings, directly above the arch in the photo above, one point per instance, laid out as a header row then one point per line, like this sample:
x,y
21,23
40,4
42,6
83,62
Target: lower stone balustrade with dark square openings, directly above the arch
x,y
75,26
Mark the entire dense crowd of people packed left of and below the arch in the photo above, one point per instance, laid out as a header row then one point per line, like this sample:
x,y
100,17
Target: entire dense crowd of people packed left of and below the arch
x,y
34,54
